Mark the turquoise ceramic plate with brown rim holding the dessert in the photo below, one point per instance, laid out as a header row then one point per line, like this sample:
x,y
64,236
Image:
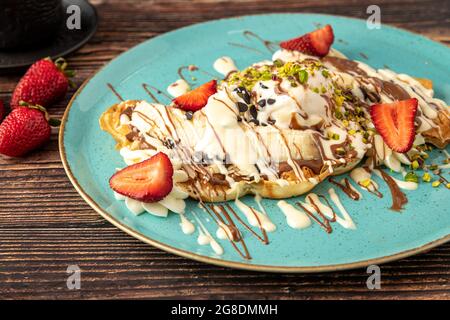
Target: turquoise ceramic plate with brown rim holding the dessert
x,y
382,235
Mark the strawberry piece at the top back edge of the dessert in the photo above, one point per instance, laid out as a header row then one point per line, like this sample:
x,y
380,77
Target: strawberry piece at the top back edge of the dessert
x,y
315,43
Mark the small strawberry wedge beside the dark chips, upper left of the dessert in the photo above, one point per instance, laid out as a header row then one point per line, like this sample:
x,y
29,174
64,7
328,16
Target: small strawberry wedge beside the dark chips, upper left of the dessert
x,y
196,99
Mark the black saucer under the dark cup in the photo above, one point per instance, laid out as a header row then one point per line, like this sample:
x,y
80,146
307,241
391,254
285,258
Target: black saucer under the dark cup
x,y
66,41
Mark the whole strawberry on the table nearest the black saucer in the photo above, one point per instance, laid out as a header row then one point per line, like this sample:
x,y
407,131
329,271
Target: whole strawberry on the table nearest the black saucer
x,y
44,83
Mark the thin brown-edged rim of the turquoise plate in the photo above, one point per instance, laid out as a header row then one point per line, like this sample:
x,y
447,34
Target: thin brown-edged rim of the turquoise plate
x,y
212,260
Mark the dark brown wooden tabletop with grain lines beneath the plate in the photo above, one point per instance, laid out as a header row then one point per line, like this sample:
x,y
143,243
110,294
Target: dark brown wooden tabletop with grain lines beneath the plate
x,y
46,226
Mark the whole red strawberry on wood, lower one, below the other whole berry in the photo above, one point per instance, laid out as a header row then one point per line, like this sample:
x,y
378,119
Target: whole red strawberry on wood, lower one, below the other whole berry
x,y
23,130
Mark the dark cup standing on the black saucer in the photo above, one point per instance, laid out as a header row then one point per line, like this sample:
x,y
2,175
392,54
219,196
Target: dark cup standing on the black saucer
x,y
25,23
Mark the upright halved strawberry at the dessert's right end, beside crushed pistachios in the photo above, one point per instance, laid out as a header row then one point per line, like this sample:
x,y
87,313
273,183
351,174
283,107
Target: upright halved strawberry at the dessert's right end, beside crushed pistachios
x,y
395,122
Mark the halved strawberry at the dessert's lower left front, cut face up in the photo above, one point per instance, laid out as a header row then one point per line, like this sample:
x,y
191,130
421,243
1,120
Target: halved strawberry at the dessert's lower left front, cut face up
x,y
147,181
